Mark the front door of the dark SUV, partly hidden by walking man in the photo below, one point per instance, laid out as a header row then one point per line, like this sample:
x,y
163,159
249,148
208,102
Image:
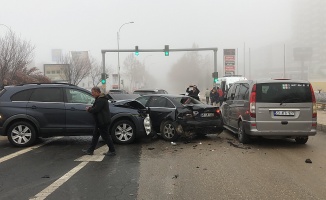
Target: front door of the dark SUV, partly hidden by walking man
x,y
78,120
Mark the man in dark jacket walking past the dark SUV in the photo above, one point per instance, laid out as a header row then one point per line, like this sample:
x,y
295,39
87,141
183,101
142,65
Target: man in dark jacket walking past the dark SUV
x,y
101,113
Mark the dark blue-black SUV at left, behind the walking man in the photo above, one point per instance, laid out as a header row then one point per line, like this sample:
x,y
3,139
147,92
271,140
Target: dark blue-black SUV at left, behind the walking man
x,y
30,111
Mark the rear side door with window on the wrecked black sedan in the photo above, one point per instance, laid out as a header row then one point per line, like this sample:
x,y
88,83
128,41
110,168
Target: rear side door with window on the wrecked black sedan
x,y
161,108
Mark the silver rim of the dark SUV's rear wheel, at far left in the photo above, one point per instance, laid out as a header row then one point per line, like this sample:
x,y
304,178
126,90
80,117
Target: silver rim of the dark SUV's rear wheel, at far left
x,y
21,134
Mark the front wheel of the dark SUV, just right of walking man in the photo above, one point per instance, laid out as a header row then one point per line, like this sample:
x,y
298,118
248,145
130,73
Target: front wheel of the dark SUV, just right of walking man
x,y
123,132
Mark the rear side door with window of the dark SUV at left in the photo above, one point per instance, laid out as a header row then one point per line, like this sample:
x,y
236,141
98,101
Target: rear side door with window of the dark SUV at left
x,y
47,107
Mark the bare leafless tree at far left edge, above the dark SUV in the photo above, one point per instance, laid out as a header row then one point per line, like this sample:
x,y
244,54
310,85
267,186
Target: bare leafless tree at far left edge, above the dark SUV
x,y
15,55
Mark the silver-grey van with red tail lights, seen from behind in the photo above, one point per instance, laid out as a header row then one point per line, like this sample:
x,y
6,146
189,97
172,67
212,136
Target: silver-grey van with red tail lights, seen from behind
x,y
278,108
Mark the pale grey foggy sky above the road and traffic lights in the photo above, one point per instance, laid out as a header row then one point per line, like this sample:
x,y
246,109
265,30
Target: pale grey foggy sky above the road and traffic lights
x,y
263,32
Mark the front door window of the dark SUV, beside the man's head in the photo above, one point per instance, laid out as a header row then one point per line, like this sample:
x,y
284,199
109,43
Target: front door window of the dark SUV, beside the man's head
x,y
77,96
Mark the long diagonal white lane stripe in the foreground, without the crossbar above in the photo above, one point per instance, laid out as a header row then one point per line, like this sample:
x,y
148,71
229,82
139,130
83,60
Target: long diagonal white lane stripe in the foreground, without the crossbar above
x,y
51,188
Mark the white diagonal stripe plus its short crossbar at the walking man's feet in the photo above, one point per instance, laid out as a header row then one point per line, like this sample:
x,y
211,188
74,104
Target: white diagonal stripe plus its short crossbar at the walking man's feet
x,y
97,157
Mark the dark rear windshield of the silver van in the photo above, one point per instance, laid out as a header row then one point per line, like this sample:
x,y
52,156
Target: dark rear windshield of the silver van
x,y
283,93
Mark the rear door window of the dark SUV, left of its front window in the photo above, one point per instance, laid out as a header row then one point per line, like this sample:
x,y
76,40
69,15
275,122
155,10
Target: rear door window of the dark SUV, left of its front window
x,y
47,95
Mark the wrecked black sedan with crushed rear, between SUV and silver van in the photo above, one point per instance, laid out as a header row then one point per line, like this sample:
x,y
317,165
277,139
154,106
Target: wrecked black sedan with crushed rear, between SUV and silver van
x,y
174,115
